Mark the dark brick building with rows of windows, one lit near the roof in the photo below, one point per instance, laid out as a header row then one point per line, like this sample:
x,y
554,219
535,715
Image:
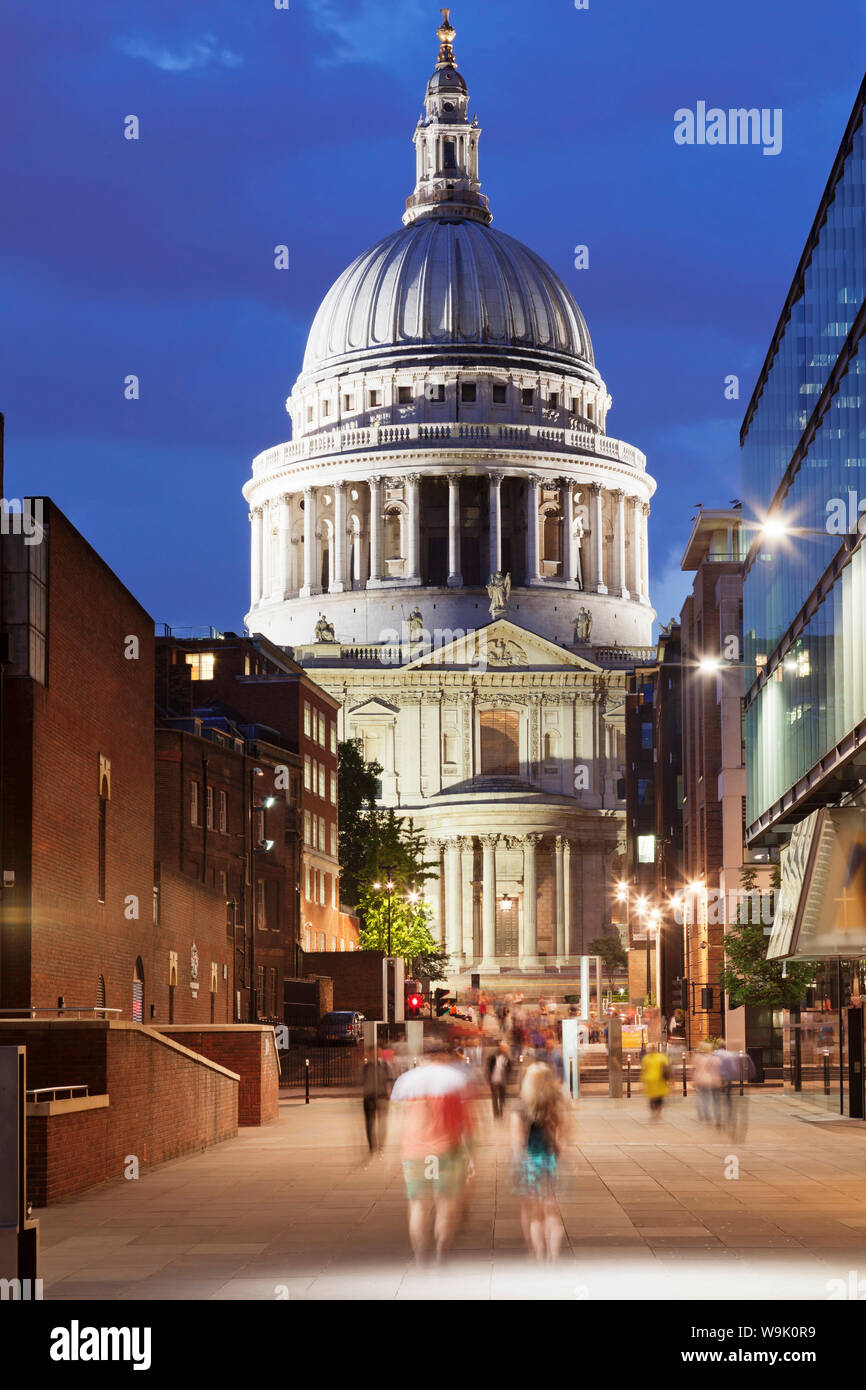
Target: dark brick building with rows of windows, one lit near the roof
x,y
230,705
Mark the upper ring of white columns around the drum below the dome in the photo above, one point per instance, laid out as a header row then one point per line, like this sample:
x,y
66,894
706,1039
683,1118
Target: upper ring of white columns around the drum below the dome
x,y
589,558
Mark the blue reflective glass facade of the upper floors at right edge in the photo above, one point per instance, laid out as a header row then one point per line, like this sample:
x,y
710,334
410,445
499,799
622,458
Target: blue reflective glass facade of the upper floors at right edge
x,y
804,465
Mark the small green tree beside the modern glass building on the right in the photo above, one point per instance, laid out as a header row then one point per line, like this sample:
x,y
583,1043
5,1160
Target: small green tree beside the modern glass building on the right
x,y
747,974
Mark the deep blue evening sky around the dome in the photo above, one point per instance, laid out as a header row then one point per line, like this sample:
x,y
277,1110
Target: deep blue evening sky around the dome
x,y
263,127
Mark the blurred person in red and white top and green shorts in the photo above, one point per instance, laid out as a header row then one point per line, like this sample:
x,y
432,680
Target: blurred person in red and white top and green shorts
x,y
436,1146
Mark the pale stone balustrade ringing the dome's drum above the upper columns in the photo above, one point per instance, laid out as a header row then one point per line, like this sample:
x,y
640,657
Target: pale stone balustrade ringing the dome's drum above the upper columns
x,y
464,433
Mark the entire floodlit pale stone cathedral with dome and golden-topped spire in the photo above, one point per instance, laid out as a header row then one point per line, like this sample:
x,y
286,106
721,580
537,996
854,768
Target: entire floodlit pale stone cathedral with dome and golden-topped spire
x,y
458,548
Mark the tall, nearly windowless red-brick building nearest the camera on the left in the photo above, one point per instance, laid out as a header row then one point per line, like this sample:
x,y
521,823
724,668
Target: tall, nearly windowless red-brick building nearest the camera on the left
x,y
79,917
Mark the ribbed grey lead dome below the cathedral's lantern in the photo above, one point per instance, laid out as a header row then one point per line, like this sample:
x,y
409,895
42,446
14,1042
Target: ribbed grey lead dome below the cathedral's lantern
x,y
447,283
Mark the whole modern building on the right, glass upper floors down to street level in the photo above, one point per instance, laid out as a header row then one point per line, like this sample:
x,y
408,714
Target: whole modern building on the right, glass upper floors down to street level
x,y
804,461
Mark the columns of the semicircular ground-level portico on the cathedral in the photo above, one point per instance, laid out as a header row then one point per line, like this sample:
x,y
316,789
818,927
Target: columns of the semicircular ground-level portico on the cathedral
x,y
457,929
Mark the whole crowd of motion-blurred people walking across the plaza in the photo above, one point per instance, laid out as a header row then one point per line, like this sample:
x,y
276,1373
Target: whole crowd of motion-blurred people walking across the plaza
x,y
486,1050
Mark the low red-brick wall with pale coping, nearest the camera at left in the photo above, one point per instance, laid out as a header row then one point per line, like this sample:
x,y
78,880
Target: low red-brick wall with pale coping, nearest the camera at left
x,y
163,1102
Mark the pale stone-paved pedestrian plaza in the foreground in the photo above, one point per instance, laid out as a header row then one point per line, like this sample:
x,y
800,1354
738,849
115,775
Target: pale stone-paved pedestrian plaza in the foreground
x,y
298,1211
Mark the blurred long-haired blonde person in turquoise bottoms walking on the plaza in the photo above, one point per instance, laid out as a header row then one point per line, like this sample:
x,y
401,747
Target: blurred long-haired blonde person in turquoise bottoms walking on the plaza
x,y
537,1135
